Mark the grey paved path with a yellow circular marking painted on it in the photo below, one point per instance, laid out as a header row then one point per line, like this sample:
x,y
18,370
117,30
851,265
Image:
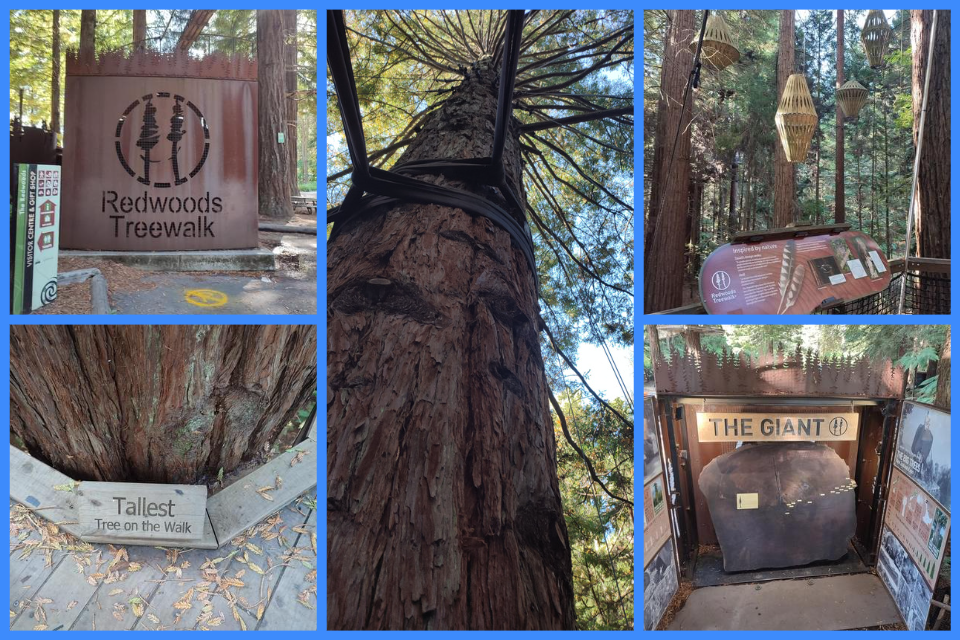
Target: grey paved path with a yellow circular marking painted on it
x,y
219,293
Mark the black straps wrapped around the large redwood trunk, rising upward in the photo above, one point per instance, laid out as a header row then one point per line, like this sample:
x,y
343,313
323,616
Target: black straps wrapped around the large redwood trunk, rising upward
x,y
390,187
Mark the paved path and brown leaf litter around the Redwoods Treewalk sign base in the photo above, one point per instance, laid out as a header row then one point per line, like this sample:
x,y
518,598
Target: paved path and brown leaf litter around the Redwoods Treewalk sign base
x,y
290,289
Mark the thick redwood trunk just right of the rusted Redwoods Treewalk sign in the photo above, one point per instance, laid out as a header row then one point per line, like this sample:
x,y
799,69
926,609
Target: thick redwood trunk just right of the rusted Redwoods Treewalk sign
x,y
274,182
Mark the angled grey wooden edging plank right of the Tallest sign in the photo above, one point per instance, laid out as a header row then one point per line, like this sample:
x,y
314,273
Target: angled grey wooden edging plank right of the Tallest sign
x,y
238,506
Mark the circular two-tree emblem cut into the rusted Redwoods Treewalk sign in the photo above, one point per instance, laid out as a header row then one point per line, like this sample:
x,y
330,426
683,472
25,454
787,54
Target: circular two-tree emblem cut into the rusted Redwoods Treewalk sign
x,y
161,128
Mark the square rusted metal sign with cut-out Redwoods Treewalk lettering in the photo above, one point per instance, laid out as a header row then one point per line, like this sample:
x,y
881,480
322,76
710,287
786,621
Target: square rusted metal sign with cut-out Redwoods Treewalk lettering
x,y
160,153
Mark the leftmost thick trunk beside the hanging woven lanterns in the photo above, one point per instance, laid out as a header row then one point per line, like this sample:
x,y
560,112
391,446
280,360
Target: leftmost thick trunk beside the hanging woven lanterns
x,y
663,253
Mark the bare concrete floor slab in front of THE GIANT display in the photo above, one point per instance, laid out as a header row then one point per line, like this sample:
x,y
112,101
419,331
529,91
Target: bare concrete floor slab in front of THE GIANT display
x,y
833,603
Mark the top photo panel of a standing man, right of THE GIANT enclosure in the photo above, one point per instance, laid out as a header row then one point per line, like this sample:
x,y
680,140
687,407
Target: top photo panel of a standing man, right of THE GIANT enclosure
x,y
923,451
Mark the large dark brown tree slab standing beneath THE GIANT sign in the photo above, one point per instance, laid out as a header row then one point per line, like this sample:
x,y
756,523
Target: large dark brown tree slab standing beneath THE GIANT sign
x,y
779,505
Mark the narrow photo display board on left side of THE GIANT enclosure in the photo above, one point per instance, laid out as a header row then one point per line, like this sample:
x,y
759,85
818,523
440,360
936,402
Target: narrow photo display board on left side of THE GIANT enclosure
x,y
660,573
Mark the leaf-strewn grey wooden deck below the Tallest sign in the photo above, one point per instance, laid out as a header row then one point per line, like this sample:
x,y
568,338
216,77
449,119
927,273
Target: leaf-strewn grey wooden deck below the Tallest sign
x,y
264,579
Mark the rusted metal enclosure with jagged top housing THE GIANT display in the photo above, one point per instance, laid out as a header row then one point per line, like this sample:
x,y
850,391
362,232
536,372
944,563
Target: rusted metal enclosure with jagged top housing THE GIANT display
x,y
805,497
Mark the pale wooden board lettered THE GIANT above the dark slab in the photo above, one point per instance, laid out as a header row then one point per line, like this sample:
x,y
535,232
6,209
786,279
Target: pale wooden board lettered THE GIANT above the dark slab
x,y
764,427
